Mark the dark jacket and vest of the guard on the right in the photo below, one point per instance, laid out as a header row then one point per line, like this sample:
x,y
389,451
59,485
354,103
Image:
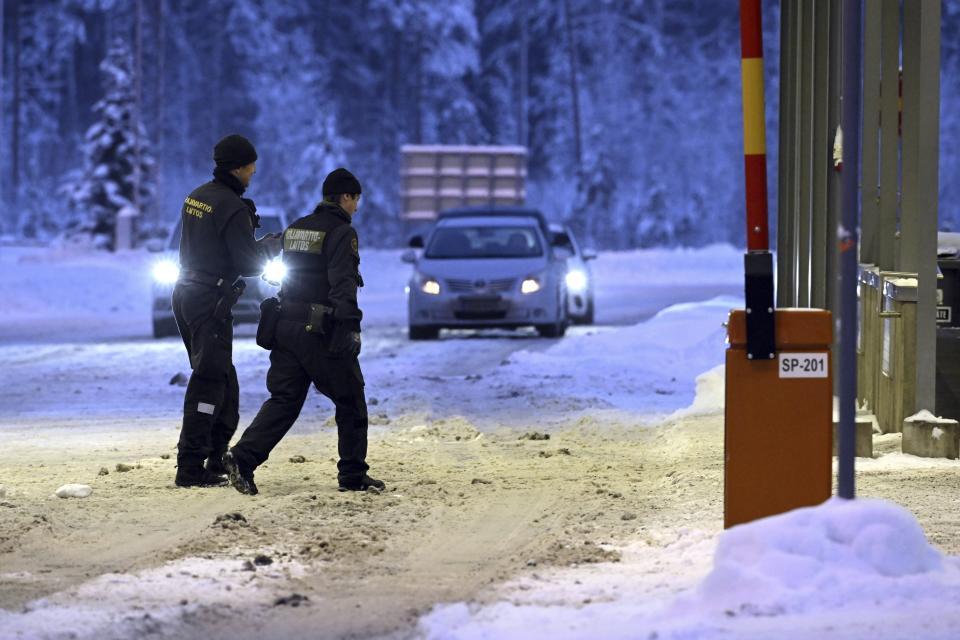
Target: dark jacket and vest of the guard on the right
x,y
322,256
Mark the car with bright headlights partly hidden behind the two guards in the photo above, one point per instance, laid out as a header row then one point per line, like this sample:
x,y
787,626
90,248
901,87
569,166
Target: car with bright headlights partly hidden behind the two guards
x,y
166,270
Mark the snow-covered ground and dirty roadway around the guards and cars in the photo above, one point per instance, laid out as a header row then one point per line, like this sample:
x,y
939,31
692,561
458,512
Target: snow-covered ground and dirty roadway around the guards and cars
x,y
610,528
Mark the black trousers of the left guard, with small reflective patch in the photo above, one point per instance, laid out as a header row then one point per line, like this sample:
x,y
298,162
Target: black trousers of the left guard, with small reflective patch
x,y
211,407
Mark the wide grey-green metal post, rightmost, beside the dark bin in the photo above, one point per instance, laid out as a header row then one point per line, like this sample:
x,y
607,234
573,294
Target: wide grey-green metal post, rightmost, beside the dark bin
x,y
921,128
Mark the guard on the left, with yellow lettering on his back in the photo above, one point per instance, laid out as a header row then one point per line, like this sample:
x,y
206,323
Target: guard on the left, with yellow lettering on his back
x,y
217,246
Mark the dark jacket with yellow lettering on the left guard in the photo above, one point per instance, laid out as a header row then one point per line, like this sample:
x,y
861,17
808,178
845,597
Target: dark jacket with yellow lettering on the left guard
x,y
217,237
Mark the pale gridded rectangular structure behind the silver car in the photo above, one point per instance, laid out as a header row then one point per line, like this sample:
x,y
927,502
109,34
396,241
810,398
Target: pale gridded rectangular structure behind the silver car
x,y
438,177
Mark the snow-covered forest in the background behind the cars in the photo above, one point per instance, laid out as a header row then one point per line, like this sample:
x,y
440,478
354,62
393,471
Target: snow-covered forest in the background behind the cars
x,y
630,109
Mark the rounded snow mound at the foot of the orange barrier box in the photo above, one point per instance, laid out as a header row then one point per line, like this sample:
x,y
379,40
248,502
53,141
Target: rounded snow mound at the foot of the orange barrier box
x,y
839,554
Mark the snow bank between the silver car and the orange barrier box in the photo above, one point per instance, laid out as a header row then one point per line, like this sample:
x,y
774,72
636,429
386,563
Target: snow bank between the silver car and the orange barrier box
x,y
647,367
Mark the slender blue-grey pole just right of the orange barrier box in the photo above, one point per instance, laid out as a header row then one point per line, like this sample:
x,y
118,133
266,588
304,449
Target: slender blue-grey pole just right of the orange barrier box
x,y
847,236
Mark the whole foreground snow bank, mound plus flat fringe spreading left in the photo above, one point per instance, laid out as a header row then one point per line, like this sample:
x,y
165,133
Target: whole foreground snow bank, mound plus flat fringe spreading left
x,y
845,569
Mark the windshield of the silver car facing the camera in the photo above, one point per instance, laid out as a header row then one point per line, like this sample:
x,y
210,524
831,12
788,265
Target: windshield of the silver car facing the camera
x,y
485,242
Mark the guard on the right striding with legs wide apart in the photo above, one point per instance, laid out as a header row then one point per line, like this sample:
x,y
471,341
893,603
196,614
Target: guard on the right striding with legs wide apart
x,y
316,340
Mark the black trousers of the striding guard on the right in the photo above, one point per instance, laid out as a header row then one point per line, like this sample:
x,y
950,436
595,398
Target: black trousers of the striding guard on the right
x,y
298,359
